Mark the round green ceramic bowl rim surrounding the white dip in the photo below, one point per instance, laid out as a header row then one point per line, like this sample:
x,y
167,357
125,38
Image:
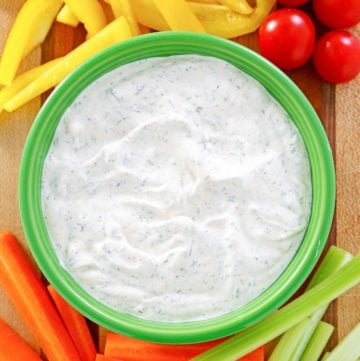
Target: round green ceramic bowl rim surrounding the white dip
x,y
287,94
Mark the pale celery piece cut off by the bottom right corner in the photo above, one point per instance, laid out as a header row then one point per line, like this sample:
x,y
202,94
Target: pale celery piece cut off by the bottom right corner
x,y
349,348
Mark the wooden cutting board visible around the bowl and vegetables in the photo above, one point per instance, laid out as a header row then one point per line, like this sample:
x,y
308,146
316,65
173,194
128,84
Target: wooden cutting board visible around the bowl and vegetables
x,y
338,108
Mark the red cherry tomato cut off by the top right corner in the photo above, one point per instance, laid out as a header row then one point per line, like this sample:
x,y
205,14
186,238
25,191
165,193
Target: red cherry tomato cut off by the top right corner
x,y
337,14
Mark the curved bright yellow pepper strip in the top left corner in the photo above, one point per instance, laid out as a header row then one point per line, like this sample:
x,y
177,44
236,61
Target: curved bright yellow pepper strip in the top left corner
x,y
30,28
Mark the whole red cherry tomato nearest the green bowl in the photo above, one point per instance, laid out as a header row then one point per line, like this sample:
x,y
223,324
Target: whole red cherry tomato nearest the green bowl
x,y
287,38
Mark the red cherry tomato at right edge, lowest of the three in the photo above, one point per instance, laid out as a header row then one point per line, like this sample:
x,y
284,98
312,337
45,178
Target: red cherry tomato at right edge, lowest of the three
x,y
337,56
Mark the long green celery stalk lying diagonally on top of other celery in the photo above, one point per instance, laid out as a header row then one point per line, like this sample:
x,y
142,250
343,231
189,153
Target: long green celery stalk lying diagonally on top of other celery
x,y
288,316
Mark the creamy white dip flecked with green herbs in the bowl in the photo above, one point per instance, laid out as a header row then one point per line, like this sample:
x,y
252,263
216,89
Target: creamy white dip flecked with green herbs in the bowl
x,y
176,189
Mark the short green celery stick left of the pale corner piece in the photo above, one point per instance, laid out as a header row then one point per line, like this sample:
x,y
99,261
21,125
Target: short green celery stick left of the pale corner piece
x,y
318,342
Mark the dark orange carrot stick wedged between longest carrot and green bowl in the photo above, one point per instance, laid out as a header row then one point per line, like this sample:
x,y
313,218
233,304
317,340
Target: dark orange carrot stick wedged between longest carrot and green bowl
x,y
76,325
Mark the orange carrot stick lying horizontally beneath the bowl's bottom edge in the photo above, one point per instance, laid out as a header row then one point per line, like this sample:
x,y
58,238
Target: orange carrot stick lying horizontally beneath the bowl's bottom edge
x,y
128,349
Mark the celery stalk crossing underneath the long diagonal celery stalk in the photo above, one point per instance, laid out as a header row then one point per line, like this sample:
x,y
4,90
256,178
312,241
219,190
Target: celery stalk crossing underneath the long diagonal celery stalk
x,y
297,341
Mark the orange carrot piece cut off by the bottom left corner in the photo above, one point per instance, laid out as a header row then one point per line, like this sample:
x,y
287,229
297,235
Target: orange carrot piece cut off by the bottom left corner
x,y
13,347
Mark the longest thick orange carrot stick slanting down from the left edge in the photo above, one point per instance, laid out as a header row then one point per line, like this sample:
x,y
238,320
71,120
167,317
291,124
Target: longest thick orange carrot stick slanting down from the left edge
x,y
29,295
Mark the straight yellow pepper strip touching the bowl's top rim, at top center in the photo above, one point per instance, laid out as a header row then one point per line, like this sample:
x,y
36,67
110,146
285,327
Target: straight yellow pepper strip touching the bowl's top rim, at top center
x,y
178,15
